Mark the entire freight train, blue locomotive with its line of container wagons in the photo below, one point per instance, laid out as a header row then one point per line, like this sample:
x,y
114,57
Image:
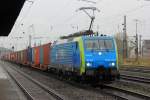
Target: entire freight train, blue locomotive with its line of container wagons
x,y
90,57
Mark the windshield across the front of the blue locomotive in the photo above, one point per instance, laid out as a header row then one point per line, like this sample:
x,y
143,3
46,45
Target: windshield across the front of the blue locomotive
x,y
103,44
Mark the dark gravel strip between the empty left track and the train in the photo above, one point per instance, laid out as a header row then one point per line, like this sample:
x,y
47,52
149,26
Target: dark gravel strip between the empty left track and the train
x,y
75,92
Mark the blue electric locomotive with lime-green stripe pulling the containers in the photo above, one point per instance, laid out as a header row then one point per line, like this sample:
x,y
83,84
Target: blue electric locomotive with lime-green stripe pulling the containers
x,y
88,56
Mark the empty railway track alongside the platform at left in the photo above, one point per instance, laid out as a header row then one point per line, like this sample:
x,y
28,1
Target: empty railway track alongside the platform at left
x,y
33,89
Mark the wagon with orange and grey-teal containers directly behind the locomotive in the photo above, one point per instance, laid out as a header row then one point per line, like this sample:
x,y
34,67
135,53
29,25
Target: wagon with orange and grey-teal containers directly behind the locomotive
x,y
38,57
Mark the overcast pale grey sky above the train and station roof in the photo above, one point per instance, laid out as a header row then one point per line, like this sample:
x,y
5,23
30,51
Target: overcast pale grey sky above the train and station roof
x,y
52,18
